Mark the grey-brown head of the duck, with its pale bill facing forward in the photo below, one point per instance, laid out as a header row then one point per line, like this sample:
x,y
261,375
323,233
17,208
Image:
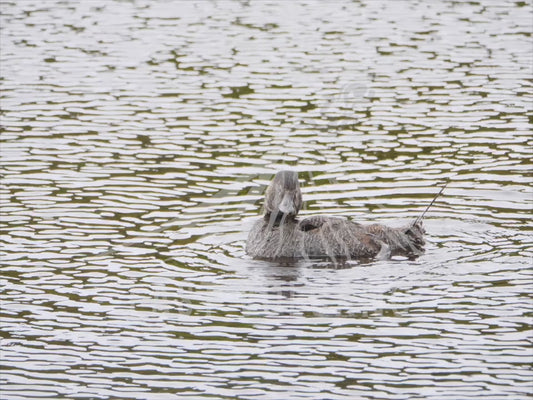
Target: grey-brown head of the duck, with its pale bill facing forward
x,y
283,198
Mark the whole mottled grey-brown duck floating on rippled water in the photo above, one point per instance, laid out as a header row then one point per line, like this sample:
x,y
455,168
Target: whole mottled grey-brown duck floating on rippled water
x,y
281,235
